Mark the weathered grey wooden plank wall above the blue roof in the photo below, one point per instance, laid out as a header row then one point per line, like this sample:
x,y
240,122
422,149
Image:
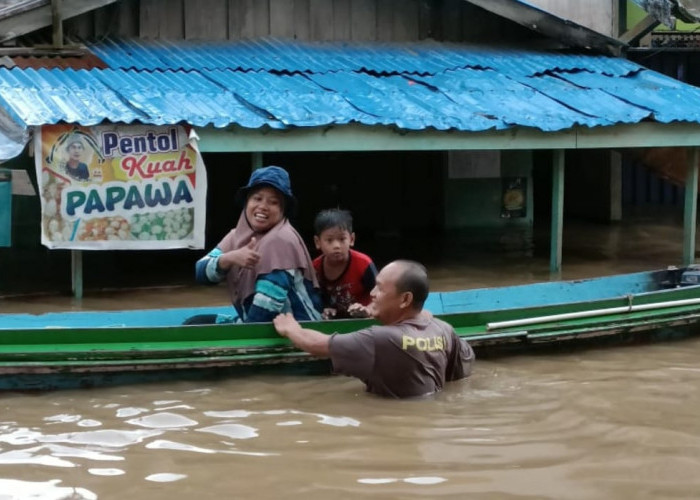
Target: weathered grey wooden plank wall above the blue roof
x,y
362,20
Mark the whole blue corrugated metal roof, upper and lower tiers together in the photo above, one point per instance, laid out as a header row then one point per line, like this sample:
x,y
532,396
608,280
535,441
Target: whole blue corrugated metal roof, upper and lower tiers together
x,y
282,84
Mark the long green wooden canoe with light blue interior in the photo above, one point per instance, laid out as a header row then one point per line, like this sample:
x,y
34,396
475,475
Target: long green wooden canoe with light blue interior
x,y
57,350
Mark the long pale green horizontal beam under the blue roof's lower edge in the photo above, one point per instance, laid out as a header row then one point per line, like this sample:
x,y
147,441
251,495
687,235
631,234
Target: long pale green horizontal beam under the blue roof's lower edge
x,y
366,138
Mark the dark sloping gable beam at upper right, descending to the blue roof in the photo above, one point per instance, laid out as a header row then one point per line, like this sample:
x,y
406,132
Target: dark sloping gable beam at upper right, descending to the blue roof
x,y
541,21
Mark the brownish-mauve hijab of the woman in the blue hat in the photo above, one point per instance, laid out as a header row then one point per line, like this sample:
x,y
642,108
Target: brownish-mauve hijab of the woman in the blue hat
x,y
281,247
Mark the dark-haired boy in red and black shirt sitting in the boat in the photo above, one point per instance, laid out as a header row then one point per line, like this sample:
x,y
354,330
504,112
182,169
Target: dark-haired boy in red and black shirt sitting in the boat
x,y
346,276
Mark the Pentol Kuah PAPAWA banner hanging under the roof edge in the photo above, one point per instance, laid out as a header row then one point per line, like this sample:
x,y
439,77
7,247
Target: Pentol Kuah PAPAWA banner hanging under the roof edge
x,y
126,187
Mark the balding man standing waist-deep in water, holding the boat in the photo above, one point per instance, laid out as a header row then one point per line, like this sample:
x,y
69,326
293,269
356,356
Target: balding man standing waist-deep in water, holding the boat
x,y
409,354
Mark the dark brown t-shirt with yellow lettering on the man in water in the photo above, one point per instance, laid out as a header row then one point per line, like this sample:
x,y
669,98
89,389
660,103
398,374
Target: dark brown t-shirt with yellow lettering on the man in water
x,y
412,358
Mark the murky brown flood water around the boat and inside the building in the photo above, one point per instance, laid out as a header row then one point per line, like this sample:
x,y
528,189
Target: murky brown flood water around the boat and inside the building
x,y
609,423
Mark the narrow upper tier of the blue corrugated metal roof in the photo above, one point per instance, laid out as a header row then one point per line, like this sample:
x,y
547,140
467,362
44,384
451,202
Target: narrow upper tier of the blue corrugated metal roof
x,y
426,57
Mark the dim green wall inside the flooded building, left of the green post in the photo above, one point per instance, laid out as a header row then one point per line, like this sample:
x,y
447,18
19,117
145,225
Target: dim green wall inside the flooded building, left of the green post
x,y
478,202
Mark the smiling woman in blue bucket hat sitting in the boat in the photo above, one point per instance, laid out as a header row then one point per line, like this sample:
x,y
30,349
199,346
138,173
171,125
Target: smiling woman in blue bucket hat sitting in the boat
x,y
263,259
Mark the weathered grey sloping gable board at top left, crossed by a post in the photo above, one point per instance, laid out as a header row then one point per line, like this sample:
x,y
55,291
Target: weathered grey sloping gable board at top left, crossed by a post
x,y
40,17
